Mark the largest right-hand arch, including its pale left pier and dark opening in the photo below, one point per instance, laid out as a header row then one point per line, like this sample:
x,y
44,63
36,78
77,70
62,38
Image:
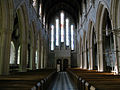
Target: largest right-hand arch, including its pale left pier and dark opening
x,y
103,27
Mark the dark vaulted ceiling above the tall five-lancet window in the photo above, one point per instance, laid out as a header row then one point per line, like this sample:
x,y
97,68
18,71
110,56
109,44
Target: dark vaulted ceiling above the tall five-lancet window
x,y
72,7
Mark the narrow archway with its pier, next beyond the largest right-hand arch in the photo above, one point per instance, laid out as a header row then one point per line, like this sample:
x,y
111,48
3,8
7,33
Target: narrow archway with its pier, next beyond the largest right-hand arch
x,y
92,46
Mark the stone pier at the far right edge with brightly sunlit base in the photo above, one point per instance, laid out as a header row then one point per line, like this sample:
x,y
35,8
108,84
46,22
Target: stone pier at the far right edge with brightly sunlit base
x,y
115,15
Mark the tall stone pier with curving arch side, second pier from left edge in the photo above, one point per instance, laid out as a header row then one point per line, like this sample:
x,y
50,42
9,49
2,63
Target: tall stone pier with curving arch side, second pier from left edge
x,y
23,29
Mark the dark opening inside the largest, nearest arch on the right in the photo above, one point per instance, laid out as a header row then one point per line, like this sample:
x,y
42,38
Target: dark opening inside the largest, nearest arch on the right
x,y
108,42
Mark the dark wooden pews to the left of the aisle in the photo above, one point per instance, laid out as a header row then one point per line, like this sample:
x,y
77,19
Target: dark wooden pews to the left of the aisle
x,y
31,80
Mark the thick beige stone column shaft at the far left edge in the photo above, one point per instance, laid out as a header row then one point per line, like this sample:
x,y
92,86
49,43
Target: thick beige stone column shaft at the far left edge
x,y
5,42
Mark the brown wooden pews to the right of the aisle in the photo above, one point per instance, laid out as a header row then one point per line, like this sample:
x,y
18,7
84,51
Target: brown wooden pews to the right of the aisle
x,y
94,80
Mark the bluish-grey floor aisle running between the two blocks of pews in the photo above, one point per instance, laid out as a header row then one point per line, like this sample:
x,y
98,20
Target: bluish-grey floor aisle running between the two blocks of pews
x,y
62,82
